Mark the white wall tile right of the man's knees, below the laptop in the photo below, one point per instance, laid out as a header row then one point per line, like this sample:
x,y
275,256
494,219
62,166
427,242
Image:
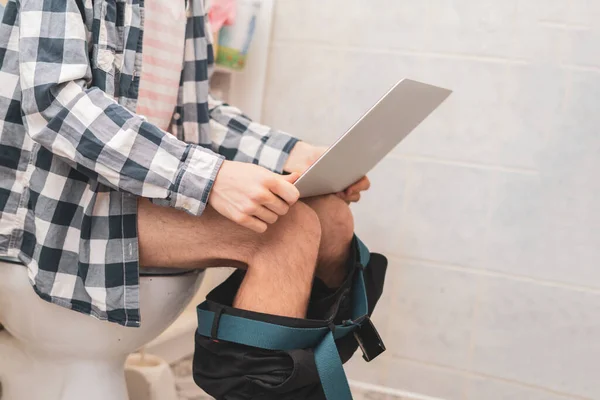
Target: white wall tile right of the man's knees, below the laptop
x,y
445,214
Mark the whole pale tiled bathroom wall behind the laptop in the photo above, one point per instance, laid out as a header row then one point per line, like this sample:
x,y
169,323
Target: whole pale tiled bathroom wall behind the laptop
x,y
489,212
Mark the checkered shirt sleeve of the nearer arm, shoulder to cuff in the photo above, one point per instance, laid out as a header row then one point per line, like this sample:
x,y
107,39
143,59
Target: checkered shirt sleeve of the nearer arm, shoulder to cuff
x,y
90,130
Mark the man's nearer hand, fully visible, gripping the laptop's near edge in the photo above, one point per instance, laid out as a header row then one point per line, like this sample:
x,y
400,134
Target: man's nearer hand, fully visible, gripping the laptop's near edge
x,y
252,196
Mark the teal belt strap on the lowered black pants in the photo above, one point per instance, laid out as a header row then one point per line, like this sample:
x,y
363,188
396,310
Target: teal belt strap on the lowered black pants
x,y
269,336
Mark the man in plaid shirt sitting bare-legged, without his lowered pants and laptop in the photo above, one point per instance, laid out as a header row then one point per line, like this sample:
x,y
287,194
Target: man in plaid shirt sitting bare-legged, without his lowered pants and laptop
x,y
84,179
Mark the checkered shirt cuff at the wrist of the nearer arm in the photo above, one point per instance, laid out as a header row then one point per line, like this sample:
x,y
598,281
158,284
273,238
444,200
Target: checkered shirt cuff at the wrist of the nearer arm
x,y
195,179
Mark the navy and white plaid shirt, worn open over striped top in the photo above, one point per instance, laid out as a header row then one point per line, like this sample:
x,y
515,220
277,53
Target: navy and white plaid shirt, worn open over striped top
x,y
74,156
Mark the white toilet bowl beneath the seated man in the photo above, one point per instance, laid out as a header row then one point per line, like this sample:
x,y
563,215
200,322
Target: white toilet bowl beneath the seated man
x,y
48,352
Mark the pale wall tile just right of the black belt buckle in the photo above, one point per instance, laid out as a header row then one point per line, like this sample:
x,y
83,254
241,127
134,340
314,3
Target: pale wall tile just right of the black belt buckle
x,y
432,313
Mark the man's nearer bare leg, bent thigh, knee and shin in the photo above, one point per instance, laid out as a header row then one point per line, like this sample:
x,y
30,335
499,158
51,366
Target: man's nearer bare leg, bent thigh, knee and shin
x,y
280,262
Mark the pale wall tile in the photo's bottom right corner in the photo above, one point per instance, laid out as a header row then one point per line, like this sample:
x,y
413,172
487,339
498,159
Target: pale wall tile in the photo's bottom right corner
x,y
540,335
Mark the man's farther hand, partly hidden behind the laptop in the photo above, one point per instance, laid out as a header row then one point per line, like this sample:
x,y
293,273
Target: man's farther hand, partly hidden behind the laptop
x,y
303,155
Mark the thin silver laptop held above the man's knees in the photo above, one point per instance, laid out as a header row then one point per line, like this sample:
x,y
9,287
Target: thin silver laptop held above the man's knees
x,y
378,131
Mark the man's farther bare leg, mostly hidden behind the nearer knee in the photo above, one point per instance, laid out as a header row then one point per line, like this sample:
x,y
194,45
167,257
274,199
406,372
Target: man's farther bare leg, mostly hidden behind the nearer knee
x,y
337,227
